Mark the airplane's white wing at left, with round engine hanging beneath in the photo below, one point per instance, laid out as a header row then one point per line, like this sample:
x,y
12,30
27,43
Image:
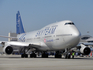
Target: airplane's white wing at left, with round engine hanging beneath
x,y
9,46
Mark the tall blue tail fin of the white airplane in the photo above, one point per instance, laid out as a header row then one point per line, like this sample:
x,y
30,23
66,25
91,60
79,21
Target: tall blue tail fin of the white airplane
x,y
19,25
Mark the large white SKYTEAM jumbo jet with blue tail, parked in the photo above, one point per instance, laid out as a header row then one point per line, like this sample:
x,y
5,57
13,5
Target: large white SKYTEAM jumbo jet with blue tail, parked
x,y
59,36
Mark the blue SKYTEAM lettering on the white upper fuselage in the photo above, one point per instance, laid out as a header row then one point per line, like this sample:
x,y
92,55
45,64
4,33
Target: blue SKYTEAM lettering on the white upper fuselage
x,y
47,30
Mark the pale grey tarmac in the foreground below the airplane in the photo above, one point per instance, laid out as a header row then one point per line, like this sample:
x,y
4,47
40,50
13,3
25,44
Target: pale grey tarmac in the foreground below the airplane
x,y
15,62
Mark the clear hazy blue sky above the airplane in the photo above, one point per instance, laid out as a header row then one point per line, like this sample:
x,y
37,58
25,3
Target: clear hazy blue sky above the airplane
x,y
36,14
